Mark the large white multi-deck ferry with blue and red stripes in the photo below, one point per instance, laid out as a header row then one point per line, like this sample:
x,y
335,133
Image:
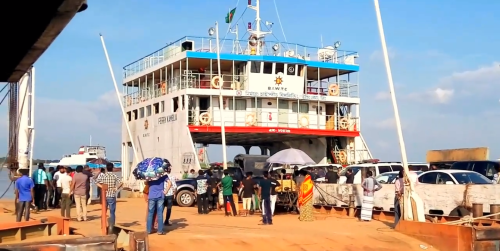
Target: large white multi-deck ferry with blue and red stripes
x,y
276,95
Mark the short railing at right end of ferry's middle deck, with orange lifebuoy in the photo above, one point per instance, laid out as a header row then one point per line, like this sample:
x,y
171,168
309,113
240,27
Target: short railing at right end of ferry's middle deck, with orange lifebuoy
x,y
345,88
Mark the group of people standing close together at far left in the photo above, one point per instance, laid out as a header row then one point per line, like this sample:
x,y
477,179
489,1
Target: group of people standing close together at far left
x,y
61,188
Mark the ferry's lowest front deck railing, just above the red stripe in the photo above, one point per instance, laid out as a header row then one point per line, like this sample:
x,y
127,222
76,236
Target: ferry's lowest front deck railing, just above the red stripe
x,y
268,118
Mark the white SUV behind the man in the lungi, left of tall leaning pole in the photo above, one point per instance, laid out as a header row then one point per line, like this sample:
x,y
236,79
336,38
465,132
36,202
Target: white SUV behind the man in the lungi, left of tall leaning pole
x,y
376,168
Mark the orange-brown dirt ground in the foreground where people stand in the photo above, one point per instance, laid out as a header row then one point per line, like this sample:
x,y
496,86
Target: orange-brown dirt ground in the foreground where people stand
x,y
191,231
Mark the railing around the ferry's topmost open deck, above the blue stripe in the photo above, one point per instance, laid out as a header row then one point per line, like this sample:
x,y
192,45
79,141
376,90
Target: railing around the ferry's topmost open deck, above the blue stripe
x,y
242,47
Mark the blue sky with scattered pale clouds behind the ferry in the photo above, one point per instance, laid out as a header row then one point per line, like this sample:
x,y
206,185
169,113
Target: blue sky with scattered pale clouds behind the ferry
x,y
442,53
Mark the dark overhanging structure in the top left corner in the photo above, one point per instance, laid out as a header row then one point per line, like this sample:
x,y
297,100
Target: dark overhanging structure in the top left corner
x,y
28,29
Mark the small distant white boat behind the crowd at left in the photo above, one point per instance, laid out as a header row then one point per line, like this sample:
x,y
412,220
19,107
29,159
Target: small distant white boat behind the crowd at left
x,y
83,157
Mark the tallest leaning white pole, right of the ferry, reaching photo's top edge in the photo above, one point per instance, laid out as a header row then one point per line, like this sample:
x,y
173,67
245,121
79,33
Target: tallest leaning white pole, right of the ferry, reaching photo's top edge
x,y
391,87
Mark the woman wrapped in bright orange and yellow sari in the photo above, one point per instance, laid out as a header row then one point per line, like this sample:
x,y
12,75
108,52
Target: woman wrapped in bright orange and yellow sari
x,y
305,202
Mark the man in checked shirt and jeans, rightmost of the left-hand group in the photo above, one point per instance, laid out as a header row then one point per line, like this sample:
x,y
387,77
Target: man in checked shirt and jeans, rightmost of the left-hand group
x,y
114,183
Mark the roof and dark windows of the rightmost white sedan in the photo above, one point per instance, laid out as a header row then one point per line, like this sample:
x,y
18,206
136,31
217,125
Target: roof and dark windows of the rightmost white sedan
x,y
453,177
